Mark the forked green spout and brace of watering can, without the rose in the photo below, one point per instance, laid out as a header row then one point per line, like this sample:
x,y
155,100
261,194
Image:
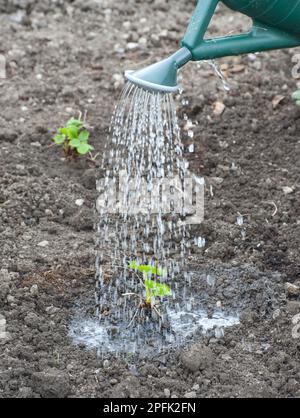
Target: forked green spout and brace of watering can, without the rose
x,y
260,38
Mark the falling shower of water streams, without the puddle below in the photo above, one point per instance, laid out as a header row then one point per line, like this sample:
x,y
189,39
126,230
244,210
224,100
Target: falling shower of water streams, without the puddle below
x,y
141,207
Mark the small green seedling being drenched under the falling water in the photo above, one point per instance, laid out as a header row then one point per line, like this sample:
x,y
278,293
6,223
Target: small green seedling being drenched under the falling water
x,y
153,289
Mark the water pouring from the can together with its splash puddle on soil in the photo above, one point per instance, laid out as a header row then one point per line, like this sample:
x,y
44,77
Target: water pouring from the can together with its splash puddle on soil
x,y
143,210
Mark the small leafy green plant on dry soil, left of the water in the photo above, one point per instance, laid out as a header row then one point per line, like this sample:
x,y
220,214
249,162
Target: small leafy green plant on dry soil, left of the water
x,y
74,139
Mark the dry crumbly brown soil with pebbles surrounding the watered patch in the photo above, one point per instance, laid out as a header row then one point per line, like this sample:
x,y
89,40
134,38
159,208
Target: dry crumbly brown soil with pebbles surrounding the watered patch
x,y
63,58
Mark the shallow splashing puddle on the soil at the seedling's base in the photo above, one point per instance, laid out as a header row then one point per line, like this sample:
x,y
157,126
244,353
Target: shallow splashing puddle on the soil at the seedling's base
x,y
148,340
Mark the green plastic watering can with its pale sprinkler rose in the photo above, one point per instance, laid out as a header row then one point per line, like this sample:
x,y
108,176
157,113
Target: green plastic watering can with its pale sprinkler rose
x,y
276,25
